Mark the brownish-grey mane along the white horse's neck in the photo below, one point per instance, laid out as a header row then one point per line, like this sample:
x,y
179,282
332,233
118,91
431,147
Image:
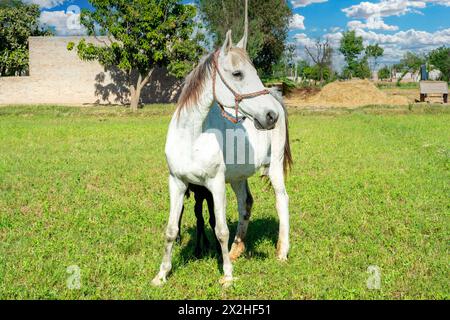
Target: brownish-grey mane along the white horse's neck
x,y
194,83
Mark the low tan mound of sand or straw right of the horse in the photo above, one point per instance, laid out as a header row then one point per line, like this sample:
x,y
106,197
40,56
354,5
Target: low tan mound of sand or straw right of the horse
x,y
350,94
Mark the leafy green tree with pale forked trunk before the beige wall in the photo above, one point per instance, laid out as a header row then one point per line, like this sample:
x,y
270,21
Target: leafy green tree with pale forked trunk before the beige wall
x,y
142,35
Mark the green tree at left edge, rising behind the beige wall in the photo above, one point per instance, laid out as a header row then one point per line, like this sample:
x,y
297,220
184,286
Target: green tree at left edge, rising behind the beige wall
x,y
18,21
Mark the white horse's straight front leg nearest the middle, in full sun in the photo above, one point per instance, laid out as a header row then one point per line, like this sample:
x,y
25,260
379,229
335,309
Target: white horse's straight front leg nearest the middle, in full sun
x,y
217,188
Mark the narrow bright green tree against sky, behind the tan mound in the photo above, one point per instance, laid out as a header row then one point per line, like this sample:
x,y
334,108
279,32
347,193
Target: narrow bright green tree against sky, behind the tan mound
x,y
351,47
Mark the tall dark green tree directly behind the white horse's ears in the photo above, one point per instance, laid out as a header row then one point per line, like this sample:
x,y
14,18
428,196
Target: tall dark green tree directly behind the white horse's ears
x,y
269,27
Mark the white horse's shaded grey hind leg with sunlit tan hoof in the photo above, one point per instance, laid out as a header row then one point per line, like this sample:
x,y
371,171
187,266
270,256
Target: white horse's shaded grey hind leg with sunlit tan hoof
x,y
245,204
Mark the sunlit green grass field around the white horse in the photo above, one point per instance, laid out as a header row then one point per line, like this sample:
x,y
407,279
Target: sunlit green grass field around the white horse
x,y
87,187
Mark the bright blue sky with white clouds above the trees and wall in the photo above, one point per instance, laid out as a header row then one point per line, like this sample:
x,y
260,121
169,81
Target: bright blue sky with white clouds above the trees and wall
x,y
396,25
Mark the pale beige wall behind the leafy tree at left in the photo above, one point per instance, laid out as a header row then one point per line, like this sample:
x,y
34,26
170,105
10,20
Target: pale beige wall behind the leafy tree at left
x,y
58,76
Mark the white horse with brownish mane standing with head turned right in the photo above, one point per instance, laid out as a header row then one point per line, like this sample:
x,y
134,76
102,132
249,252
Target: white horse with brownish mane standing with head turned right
x,y
198,154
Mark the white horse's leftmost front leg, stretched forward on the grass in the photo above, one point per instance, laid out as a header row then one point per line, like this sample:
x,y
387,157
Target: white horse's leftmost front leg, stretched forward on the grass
x,y
177,190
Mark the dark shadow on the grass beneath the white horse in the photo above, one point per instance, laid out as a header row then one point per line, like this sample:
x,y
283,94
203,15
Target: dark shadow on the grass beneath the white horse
x,y
259,231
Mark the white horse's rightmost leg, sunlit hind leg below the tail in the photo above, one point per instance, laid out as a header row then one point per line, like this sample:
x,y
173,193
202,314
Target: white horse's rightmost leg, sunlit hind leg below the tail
x,y
276,176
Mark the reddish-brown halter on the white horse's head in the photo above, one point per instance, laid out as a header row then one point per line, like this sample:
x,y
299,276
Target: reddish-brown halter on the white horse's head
x,y
237,96
